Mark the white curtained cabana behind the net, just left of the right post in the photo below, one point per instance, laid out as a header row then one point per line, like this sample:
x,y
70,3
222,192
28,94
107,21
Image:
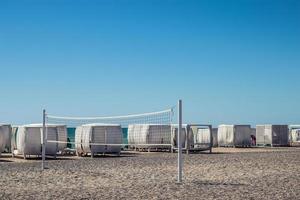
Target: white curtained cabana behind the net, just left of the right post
x,y
148,136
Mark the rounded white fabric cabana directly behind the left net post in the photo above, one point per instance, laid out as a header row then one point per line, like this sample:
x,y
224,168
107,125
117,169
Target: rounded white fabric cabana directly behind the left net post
x,y
29,139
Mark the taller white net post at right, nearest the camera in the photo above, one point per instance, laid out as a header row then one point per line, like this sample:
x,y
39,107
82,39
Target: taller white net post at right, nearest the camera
x,y
179,177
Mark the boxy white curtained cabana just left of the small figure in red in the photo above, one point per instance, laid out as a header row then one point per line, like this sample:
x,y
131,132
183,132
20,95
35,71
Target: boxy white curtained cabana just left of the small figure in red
x,y
234,135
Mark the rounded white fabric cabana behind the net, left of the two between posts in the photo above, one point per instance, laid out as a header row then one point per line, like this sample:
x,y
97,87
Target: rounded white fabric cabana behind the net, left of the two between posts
x,y
86,135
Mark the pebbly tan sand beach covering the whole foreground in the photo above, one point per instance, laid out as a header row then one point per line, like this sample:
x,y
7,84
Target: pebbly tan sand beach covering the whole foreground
x,y
233,173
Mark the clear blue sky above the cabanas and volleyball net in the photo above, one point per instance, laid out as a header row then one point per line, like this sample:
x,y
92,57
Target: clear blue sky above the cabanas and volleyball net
x,y
230,61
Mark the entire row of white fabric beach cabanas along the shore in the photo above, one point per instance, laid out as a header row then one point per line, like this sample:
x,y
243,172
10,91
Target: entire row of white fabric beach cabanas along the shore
x,y
92,139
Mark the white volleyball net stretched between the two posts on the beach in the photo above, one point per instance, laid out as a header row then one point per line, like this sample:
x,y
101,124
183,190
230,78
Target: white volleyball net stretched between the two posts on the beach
x,y
98,135
